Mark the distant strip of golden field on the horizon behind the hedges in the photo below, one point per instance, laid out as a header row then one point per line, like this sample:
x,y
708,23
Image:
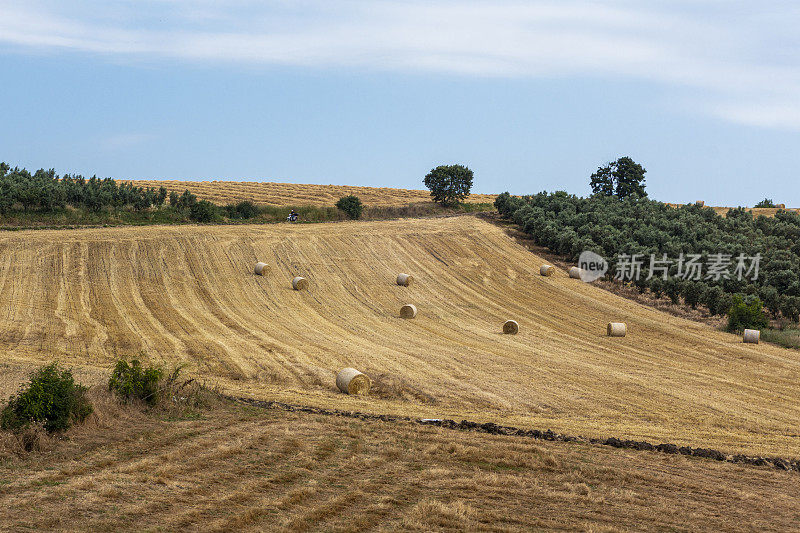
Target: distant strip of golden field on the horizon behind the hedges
x,y
282,194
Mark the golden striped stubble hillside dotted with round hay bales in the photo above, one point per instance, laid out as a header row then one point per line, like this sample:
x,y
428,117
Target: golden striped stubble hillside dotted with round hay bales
x,y
188,294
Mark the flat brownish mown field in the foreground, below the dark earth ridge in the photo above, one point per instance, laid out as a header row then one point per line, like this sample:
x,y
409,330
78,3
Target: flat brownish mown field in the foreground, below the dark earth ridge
x,y
248,469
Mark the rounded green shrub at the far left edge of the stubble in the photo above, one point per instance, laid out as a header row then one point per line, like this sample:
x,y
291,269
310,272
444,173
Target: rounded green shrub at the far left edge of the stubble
x,y
51,398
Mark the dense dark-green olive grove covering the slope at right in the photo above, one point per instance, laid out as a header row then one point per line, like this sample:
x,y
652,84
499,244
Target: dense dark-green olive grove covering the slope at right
x,y
621,228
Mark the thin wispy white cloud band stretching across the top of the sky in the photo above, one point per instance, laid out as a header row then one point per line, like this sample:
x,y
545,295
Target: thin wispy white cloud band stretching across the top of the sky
x,y
742,56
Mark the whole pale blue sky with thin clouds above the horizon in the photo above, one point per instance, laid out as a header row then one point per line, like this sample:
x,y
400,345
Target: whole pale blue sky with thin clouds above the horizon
x,y
531,95
